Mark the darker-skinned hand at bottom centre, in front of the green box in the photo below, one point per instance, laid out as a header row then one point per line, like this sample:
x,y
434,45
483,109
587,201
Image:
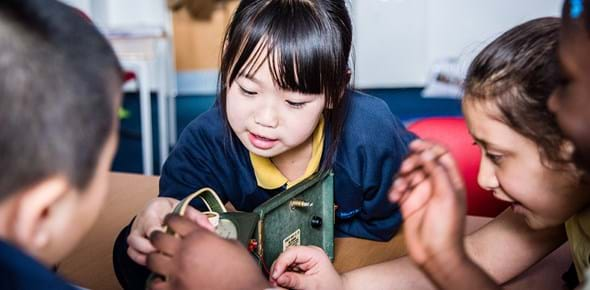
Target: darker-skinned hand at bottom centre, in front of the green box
x,y
196,258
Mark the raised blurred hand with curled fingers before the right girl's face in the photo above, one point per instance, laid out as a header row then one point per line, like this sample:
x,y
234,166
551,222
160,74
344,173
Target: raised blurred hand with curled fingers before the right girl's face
x,y
431,195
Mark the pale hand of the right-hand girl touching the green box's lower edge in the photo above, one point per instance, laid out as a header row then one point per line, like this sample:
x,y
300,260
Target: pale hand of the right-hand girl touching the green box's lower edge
x,y
304,267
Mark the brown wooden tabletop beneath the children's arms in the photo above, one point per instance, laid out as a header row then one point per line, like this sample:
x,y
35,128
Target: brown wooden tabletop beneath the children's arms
x,y
90,265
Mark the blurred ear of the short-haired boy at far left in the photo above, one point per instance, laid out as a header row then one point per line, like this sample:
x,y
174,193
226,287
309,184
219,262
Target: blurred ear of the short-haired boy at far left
x,y
34,212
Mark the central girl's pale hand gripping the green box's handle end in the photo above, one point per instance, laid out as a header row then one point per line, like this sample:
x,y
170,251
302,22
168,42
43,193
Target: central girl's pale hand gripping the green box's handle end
x,y
151,219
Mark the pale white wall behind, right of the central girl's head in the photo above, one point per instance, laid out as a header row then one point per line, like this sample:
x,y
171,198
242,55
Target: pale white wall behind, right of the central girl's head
x,y
398,40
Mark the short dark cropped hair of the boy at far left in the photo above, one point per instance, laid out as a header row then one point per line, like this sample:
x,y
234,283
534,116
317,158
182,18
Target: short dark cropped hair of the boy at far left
x,y
59,85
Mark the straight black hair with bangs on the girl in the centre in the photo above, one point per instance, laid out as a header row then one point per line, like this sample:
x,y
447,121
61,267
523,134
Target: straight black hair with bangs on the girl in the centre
x,y
307,44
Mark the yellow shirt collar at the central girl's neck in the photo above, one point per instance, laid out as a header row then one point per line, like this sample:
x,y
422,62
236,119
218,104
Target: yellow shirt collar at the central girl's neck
x,y
268,175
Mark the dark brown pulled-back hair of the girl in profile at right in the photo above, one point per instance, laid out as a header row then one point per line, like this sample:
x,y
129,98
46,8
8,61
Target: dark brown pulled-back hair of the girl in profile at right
x,y
517,73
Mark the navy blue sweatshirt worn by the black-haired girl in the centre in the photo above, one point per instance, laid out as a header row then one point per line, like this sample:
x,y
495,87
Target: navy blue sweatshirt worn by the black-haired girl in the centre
x,y
371,149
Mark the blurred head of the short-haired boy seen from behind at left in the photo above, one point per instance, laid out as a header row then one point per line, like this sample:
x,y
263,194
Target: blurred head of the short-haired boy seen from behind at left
x,y
59,89
